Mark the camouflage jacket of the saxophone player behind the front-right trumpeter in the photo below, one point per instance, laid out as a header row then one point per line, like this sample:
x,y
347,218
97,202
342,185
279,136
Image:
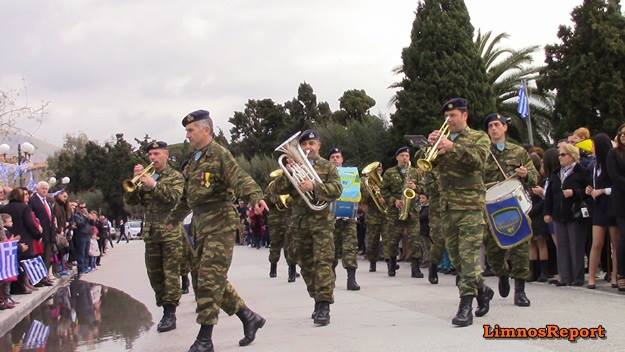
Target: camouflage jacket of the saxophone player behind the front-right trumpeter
x,y
393,188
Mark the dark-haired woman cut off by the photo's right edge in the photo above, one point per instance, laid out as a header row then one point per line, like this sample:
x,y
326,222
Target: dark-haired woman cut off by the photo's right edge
x,y
616,170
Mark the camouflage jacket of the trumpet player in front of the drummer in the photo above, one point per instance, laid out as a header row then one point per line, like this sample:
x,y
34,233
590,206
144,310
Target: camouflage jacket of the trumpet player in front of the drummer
x,y
461,171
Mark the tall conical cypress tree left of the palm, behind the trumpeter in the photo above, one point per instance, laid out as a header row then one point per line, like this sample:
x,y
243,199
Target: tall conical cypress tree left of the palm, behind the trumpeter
x,y
441,62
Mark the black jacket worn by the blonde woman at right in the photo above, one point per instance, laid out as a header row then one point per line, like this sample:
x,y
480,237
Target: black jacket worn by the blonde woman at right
x,y
562,209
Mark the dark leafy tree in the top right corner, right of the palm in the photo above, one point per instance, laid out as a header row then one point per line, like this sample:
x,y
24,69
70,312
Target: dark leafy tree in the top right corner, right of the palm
x,y
587,69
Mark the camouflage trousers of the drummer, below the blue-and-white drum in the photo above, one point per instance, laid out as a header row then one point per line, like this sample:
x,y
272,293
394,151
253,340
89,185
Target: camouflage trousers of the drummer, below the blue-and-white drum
x,y
519,258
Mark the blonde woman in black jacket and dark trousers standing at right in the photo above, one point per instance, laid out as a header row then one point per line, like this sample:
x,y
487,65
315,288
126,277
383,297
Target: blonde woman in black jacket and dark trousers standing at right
x,y
564,206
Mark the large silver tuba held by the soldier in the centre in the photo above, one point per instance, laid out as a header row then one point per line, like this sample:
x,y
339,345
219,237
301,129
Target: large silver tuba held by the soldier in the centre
x,y
300,170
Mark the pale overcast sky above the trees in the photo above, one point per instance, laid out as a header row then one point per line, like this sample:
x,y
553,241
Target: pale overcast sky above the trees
x,y
139,66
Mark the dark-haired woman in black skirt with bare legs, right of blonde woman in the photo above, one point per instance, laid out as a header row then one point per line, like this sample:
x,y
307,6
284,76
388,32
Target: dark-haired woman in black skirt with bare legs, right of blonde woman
x,y
603,212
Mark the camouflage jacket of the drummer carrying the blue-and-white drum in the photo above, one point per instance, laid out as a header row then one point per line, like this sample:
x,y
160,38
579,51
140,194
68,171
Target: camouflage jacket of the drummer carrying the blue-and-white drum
x,y
510,158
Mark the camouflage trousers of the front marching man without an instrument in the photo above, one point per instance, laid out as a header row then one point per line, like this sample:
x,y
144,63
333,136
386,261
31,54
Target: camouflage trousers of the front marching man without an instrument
x,y
209,274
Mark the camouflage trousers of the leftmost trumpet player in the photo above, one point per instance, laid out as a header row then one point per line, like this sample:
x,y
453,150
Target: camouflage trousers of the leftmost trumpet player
x,y
162,261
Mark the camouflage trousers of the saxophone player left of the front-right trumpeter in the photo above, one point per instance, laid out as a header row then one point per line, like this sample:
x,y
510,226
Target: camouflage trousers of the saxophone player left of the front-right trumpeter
x,y
395,230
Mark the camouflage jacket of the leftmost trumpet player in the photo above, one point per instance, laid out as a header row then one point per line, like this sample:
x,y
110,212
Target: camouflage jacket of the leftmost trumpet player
x,y
157,203
